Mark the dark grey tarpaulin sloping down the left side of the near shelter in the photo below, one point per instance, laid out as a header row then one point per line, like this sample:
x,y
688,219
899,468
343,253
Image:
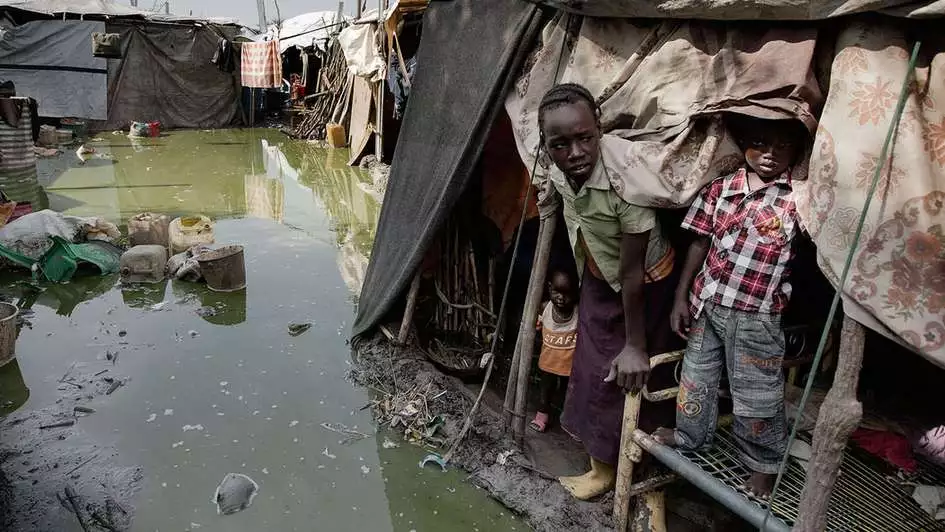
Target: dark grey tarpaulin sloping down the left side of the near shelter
x,y
470,53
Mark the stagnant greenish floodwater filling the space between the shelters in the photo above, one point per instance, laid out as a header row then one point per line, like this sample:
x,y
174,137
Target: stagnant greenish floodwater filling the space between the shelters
x,y
216,384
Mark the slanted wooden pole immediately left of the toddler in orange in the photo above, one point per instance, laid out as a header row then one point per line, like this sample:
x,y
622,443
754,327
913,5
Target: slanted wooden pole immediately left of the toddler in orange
x,y
536,285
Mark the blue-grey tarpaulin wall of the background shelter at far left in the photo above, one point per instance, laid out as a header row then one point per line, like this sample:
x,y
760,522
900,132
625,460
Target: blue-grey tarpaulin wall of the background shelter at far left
x,y
51,61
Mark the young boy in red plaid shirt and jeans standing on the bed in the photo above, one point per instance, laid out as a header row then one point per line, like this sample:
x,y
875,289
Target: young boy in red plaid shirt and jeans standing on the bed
x,y
745,224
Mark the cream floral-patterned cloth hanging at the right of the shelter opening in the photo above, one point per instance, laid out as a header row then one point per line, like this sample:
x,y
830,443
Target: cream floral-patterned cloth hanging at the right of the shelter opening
x,y
896,284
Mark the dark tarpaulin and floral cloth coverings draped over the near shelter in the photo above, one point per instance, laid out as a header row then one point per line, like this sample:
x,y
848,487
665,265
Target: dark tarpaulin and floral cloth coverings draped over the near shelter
x,y
661,83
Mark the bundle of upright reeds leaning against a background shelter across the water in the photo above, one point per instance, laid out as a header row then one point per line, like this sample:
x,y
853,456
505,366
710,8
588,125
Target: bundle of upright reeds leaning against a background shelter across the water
x,y
331,100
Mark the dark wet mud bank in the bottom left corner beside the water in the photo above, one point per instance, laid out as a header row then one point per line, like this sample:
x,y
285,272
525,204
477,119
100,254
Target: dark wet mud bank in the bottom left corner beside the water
x,y
46,459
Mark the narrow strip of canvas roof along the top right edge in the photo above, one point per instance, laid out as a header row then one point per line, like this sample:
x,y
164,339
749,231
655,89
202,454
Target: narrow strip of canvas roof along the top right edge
x,y
746,9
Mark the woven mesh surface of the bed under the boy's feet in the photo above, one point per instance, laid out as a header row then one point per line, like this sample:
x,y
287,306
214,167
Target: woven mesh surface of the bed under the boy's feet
x,y
864,499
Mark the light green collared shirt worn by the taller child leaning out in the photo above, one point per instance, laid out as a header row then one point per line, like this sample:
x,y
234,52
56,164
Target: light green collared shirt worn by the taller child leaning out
x,y
601,217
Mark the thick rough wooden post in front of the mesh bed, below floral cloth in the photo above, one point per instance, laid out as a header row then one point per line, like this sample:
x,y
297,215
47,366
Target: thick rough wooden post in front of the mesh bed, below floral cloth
x,y
839,416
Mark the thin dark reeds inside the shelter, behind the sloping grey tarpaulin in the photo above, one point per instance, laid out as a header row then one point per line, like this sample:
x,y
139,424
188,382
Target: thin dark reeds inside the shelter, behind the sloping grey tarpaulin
x,y
464,297
